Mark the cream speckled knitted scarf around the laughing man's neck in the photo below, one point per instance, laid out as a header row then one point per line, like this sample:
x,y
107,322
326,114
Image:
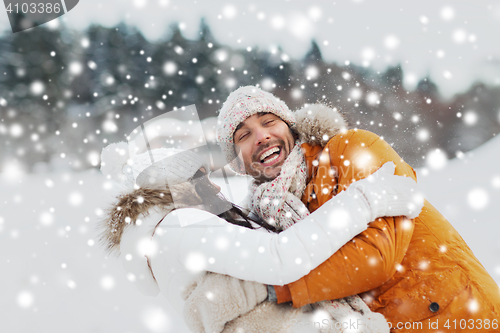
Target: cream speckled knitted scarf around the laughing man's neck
x,y
278,201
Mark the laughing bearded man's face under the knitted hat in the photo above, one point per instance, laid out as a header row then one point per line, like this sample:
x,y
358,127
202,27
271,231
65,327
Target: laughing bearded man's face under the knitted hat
x,y
265,141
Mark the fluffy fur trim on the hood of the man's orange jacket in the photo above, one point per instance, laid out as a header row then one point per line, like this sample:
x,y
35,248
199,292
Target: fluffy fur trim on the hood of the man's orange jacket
x,y
318,123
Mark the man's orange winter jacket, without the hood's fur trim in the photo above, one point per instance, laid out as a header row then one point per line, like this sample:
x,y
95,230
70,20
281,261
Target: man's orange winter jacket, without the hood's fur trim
x,y
419,274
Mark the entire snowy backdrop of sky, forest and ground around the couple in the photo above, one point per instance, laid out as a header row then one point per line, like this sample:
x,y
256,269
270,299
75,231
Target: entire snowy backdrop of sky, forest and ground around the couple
x,y
425,75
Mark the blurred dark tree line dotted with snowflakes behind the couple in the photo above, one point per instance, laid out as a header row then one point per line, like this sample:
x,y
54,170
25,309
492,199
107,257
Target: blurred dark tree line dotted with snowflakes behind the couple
x,y
65,94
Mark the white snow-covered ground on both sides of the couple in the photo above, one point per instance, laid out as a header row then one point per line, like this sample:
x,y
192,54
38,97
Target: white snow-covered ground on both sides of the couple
x,y
54,277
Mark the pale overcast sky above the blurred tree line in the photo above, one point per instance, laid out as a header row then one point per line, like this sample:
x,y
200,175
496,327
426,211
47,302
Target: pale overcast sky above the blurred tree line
x,y
455,42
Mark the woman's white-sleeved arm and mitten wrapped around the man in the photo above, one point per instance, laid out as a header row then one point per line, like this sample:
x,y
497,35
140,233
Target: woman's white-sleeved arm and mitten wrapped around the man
x,y
279,259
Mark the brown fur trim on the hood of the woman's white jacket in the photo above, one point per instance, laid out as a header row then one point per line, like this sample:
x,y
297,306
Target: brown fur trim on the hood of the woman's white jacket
x,y
129,206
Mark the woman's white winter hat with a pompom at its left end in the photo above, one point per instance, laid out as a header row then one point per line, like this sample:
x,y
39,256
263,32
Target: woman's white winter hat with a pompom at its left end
x,y
151,168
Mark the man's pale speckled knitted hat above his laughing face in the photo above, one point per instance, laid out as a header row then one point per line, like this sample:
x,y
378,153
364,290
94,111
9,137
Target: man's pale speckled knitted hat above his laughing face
x,y
241,104
